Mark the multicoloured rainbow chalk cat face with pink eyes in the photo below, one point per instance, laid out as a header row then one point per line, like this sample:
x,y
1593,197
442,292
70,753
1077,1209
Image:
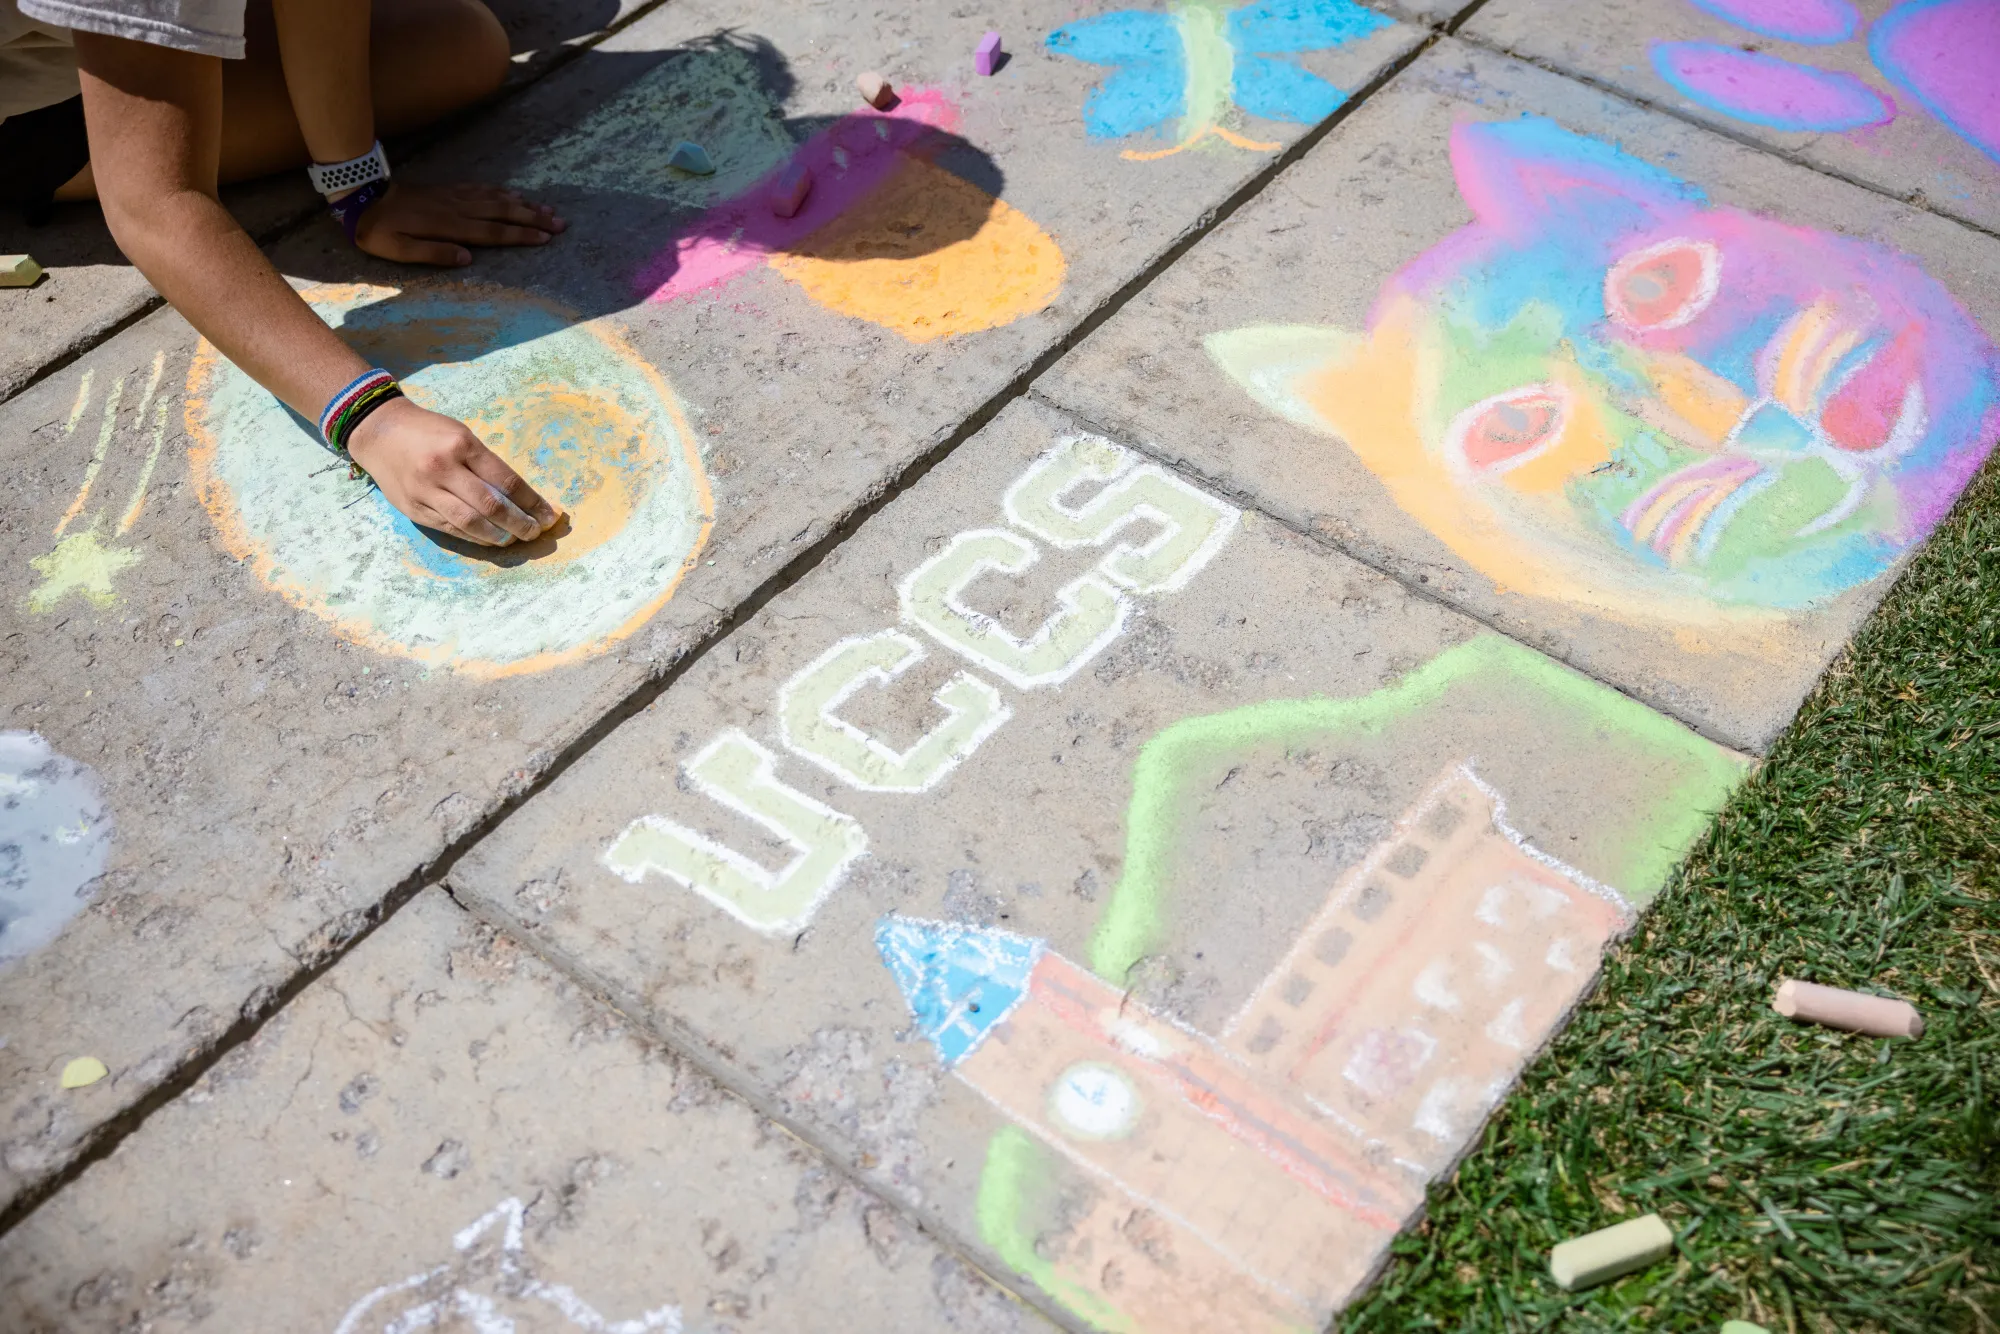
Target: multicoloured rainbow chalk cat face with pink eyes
x,y
1611,393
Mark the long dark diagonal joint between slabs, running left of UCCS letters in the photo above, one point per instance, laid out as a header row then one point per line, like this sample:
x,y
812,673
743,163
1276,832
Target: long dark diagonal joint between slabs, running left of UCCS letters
x,y
107,1139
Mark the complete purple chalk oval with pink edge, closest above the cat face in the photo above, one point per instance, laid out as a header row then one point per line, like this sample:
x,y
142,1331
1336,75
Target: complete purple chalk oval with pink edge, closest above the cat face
x,y
1769,91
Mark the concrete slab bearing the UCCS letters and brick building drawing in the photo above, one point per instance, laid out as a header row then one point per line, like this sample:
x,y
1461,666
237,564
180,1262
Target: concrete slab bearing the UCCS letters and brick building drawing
x,y
1131,887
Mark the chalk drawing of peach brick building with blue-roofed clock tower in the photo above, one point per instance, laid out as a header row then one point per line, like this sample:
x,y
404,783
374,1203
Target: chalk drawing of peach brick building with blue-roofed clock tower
x,y
1261,1177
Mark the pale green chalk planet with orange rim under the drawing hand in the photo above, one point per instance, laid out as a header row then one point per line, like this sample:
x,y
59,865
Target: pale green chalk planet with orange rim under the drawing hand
x,y
569,405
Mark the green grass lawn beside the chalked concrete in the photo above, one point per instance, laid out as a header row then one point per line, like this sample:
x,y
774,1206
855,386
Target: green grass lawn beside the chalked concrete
x,y
1817,1181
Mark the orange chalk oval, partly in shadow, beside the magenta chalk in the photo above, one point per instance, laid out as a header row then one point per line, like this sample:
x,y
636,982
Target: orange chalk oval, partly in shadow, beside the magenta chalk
x,y
875,265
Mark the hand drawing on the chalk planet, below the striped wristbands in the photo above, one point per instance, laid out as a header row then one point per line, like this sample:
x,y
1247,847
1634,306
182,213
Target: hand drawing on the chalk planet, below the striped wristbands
x,y
437,471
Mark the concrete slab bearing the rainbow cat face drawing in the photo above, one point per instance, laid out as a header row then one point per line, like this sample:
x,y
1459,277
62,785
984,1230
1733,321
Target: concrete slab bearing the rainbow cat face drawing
x,y
1681,447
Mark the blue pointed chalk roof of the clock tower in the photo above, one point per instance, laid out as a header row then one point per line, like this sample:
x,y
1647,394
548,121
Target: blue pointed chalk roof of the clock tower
x,y
961,981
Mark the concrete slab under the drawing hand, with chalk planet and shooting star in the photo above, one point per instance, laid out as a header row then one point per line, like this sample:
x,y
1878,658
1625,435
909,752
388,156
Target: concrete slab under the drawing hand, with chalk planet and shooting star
x,y
291,699
